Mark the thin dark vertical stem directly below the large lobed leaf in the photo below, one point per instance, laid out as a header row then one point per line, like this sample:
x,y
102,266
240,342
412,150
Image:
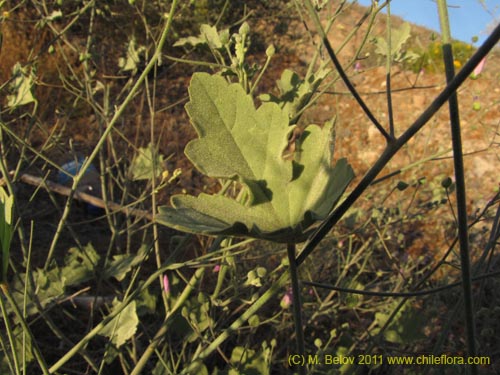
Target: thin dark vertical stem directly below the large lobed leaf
x,y
297,304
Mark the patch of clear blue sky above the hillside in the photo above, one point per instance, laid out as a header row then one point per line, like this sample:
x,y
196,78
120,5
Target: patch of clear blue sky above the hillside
x,y
468,18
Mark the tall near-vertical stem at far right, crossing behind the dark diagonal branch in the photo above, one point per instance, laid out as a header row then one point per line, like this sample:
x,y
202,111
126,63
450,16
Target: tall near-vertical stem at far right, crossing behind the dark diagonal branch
x,y
463,234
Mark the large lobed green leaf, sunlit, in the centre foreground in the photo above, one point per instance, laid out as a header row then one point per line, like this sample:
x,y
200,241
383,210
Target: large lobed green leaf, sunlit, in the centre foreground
x,y
238,142
